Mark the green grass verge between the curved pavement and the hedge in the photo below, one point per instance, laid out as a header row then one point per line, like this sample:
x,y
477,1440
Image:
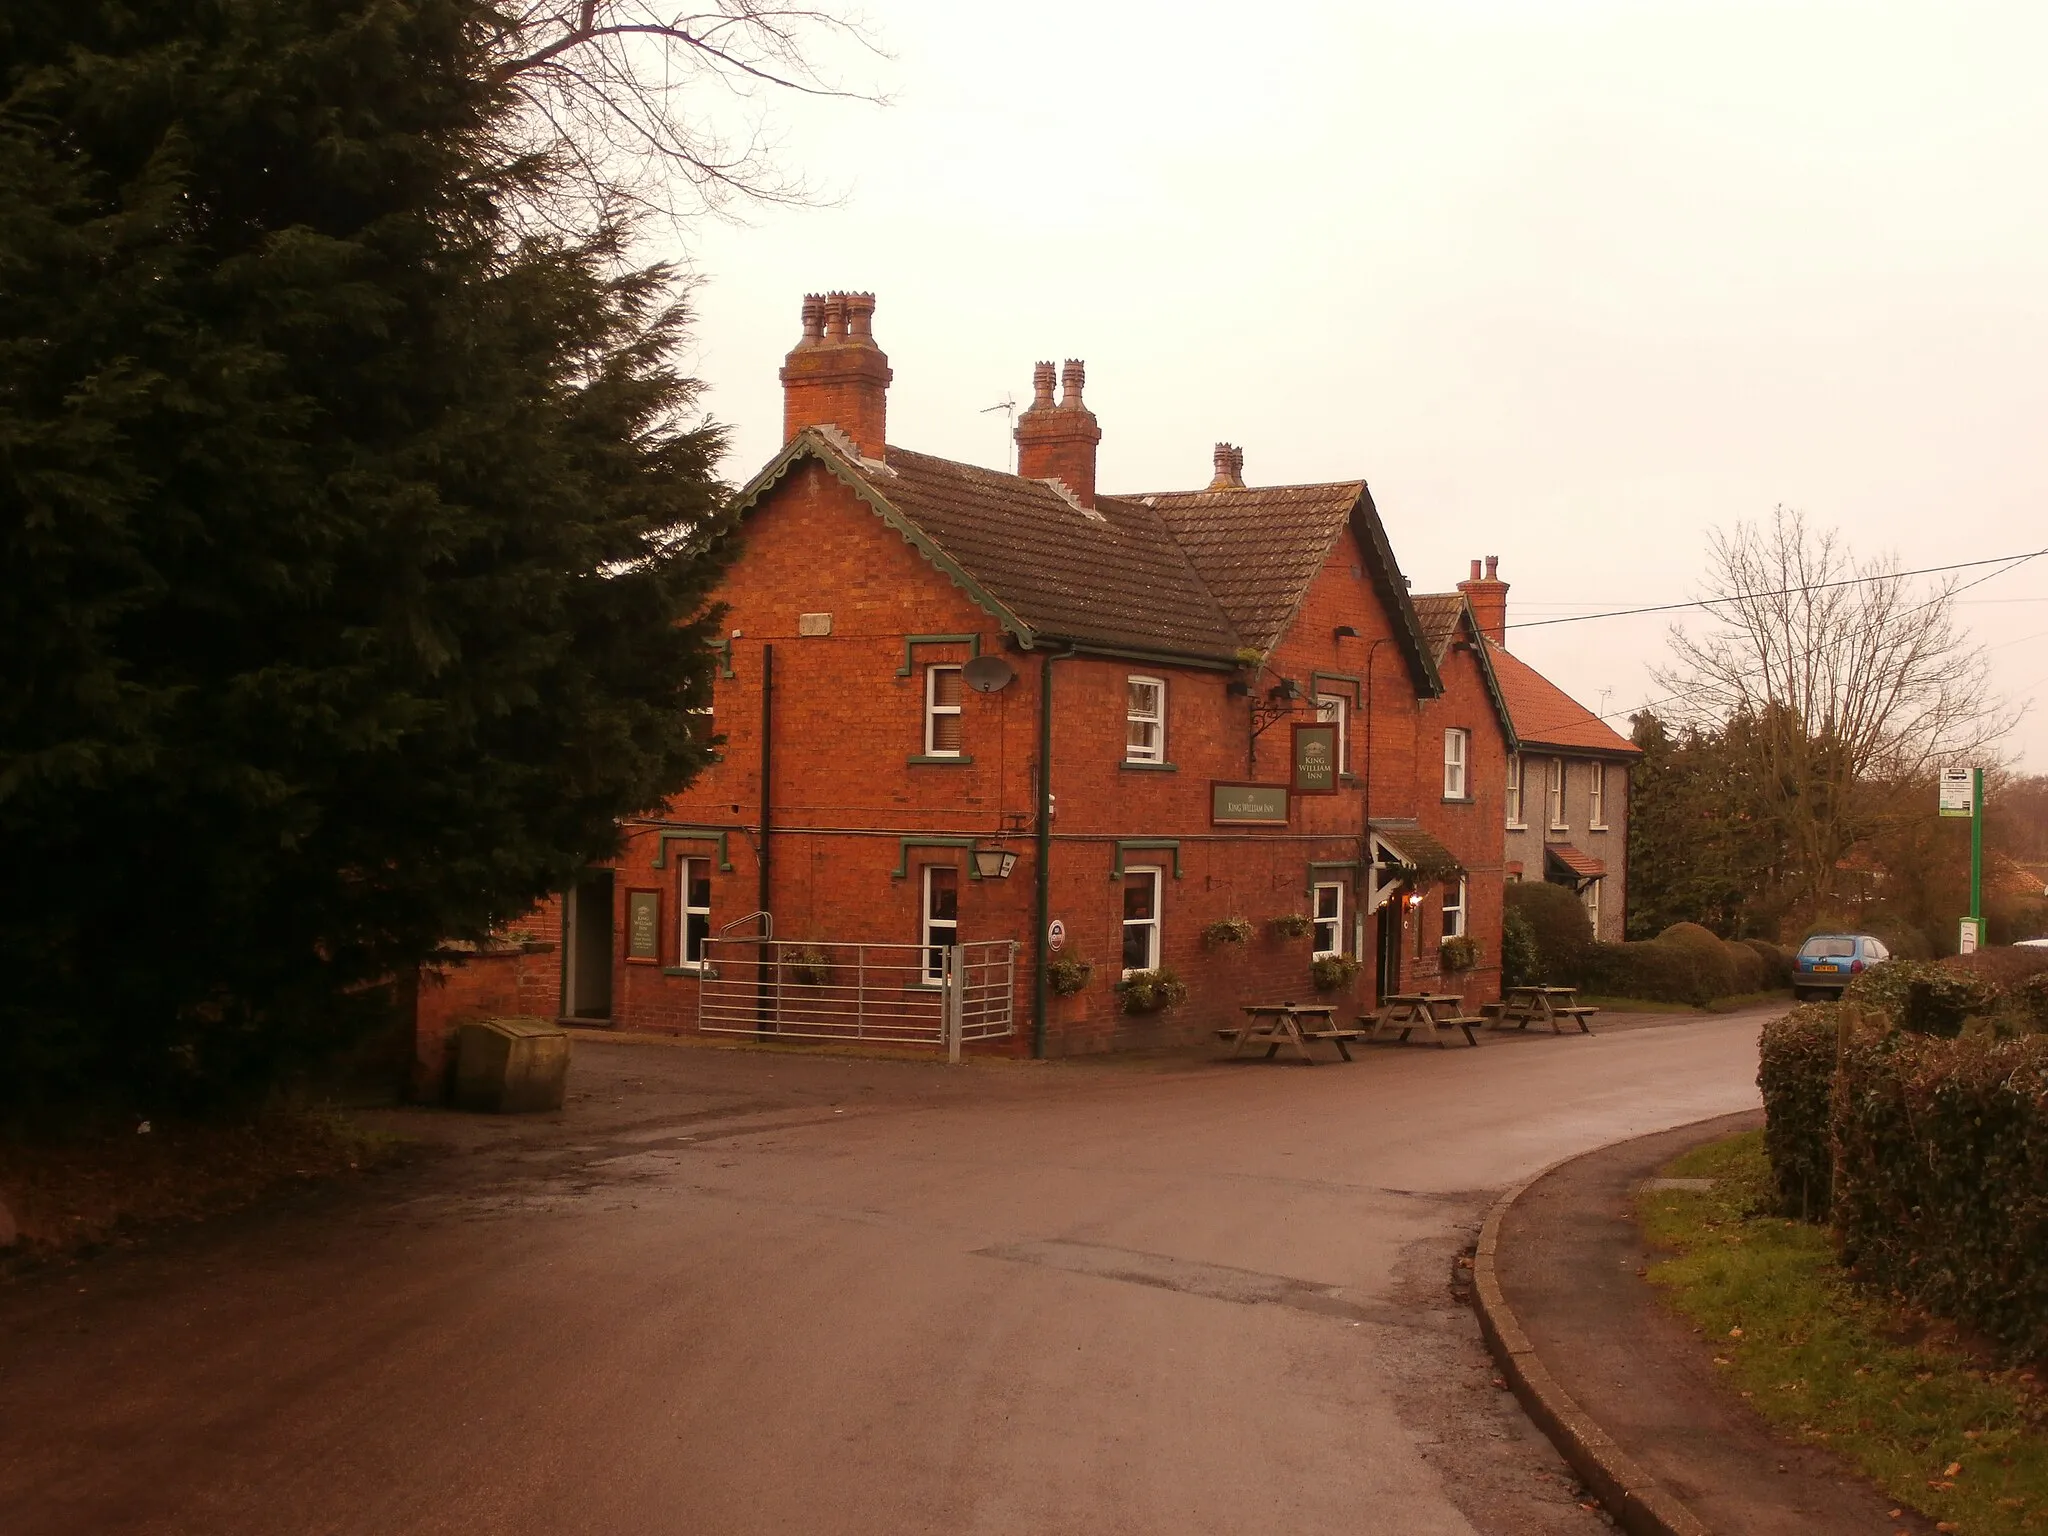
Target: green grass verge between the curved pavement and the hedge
x,y
1842,1367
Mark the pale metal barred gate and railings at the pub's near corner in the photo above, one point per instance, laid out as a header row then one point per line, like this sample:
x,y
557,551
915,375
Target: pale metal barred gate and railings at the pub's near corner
x,y
878,994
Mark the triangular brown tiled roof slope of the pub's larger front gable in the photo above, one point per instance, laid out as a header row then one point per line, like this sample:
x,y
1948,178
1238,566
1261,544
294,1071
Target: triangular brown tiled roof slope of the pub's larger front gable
x,y
1258,546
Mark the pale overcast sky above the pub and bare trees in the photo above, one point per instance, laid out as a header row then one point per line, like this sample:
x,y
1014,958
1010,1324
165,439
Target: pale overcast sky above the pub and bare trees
x,y
1568,284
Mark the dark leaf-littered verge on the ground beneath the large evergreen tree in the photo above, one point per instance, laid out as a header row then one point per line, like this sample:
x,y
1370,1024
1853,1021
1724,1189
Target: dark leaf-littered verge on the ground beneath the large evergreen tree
x,y
108,1187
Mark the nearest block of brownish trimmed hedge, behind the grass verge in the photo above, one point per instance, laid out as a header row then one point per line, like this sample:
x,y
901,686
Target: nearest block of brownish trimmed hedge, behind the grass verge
x,y
1943,1177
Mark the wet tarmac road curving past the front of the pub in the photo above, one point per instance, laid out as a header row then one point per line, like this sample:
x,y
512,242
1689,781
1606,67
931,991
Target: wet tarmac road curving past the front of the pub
x,y
767,1293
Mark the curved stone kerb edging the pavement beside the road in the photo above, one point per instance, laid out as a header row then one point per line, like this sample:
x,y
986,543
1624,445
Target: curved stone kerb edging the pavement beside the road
x,y
1631,1494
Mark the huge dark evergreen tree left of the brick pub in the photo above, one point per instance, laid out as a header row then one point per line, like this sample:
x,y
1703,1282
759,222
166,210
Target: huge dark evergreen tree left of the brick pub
x,y
351,536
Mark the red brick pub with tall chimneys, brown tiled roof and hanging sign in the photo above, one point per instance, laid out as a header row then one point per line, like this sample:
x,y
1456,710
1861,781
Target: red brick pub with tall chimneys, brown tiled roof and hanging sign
x,y
1160,712
